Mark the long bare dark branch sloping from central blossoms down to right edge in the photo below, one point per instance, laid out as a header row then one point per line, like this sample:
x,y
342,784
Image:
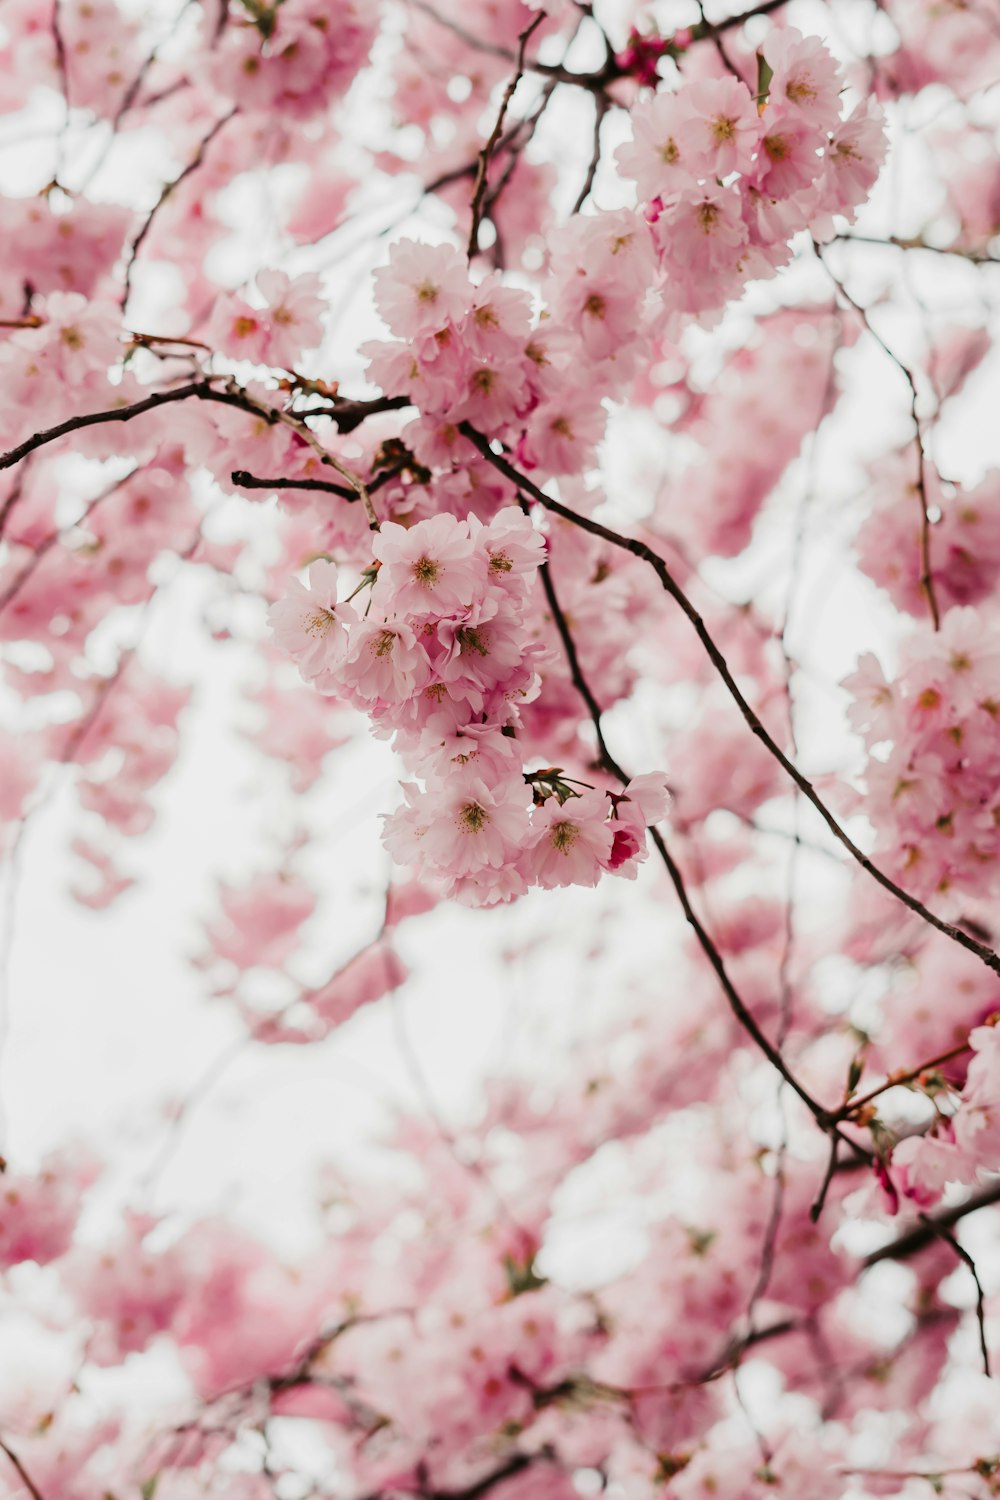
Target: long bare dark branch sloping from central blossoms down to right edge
x,y
719,662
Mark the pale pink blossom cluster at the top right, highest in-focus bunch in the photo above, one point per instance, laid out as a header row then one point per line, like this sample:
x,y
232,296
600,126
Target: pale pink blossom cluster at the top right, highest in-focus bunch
x,y
728,178
